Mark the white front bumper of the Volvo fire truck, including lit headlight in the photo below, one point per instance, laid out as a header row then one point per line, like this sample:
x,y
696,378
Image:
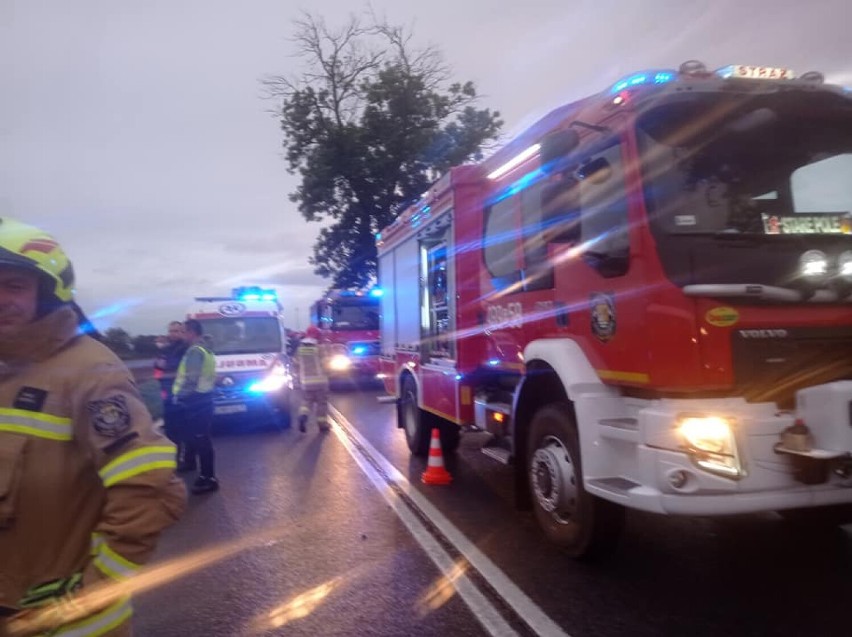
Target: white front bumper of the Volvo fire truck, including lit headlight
x,y
727,456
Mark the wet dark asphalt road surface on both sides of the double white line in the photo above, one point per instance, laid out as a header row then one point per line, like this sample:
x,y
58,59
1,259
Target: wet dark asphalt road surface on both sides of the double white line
x,y
332,539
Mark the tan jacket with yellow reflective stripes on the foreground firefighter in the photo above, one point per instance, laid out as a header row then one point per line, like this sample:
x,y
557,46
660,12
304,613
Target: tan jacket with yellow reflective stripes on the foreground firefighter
x,y
86,483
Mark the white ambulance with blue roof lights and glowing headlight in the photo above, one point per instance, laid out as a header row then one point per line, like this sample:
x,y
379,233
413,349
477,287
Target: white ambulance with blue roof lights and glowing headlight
x,y
247,334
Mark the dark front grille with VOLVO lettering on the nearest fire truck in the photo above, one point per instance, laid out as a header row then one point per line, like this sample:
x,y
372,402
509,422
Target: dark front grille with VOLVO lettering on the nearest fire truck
x,y
772,364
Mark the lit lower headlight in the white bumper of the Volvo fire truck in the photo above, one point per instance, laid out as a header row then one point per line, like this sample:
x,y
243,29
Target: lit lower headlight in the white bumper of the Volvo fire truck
x,y
711,443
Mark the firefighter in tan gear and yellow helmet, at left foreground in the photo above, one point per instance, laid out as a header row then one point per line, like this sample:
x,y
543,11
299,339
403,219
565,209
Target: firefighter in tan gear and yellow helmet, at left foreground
x,y
86,483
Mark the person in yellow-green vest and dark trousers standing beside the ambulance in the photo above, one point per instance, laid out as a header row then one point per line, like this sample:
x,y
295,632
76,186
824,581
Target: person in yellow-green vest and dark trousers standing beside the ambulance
x,y
193,390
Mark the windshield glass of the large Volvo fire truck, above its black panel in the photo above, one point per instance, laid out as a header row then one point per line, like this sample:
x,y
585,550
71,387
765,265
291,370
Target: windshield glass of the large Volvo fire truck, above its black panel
x,y
758,164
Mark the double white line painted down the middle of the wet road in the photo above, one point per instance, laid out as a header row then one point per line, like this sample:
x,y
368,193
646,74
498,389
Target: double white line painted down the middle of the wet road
x,y
525,608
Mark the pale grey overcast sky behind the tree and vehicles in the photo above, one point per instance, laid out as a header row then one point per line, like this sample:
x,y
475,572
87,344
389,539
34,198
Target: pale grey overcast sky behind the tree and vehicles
x,y
135,132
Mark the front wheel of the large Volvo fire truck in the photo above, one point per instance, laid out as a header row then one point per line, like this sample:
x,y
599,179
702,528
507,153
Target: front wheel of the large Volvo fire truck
x,y
585,526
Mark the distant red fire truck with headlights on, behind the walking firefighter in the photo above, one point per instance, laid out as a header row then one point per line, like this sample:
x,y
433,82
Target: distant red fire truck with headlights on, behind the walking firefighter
x,y
348,321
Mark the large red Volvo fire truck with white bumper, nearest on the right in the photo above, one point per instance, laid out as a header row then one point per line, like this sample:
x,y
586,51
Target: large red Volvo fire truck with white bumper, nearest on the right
x,y
645,298
